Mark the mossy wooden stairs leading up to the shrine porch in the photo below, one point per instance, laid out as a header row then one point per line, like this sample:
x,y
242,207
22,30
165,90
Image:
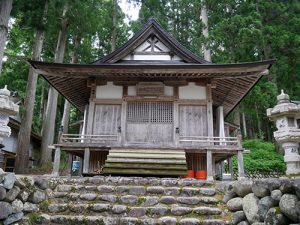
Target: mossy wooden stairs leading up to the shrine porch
x,y
145,162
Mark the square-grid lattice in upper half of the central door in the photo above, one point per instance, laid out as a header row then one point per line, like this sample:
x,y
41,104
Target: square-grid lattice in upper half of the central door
x,y
150,112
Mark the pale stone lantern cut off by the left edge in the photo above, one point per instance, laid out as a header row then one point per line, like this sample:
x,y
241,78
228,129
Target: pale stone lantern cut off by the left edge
x,y
7,108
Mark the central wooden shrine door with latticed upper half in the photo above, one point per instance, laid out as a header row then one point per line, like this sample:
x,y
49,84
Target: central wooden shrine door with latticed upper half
x,y
149,123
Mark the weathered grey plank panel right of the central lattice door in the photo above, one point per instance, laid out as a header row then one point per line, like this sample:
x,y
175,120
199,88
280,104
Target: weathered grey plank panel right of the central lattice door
x,y
192,123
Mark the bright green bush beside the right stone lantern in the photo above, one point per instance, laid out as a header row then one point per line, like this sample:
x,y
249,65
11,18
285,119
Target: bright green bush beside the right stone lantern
x,y
262,157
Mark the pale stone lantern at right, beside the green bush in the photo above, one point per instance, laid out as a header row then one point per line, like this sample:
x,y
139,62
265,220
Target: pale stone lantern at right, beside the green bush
x,y
286,114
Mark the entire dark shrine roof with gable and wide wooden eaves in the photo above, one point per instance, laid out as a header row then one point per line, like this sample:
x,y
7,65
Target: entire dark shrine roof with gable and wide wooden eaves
x,y
233,81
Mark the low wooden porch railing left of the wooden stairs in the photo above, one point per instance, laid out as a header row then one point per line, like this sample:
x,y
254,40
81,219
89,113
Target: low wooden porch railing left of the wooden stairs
x,y
88,138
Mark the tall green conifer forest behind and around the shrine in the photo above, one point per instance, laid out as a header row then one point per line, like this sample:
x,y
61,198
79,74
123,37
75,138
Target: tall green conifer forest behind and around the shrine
x,y
76,31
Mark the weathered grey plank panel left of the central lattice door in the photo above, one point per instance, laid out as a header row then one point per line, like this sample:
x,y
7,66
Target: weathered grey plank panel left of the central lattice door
x,y
107,121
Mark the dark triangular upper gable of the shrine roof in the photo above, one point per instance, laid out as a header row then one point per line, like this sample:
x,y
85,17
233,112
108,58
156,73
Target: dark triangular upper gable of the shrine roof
x,y
151,29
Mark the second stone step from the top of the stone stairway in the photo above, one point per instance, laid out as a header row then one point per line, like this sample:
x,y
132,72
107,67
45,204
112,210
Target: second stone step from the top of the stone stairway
x,y
134,190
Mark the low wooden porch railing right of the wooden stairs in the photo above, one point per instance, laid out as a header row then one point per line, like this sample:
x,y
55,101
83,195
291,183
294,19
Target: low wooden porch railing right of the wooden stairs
x,y
205,140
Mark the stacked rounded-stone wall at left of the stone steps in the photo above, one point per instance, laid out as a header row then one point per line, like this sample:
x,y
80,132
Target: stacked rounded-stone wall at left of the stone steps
x,y
20,195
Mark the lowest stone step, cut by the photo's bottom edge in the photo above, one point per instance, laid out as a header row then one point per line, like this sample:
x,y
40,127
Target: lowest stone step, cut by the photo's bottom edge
x,y
46,219
